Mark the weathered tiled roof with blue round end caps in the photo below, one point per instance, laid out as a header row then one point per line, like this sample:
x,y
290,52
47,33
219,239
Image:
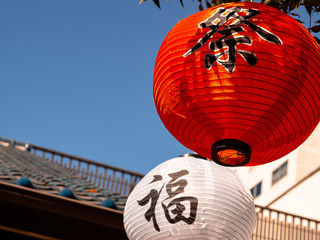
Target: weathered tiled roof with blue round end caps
x,y
25,169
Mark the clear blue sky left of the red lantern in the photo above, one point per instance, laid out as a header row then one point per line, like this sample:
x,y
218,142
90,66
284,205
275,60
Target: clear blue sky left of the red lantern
x,y
76,76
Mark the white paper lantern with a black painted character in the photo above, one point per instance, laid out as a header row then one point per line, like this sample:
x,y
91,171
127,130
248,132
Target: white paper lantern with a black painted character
x,y
189,198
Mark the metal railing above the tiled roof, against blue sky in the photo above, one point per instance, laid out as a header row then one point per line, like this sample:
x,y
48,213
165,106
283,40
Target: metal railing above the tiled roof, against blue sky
x,y
105,176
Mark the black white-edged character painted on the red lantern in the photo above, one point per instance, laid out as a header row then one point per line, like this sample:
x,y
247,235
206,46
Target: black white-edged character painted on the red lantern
x,y
227,23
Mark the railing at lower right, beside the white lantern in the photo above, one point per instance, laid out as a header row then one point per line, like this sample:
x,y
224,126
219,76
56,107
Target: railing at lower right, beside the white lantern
x,y
277,225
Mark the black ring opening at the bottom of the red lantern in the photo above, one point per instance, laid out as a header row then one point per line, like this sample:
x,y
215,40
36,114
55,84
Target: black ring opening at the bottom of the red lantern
x,y
231,152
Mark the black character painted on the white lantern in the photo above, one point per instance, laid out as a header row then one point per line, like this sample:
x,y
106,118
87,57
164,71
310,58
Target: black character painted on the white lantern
x,y
173,188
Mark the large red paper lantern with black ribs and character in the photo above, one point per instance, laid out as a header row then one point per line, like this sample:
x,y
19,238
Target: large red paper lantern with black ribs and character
x,y
239,83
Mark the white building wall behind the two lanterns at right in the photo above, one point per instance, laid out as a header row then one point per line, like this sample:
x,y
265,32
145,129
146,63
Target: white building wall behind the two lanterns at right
x,y
301,200
